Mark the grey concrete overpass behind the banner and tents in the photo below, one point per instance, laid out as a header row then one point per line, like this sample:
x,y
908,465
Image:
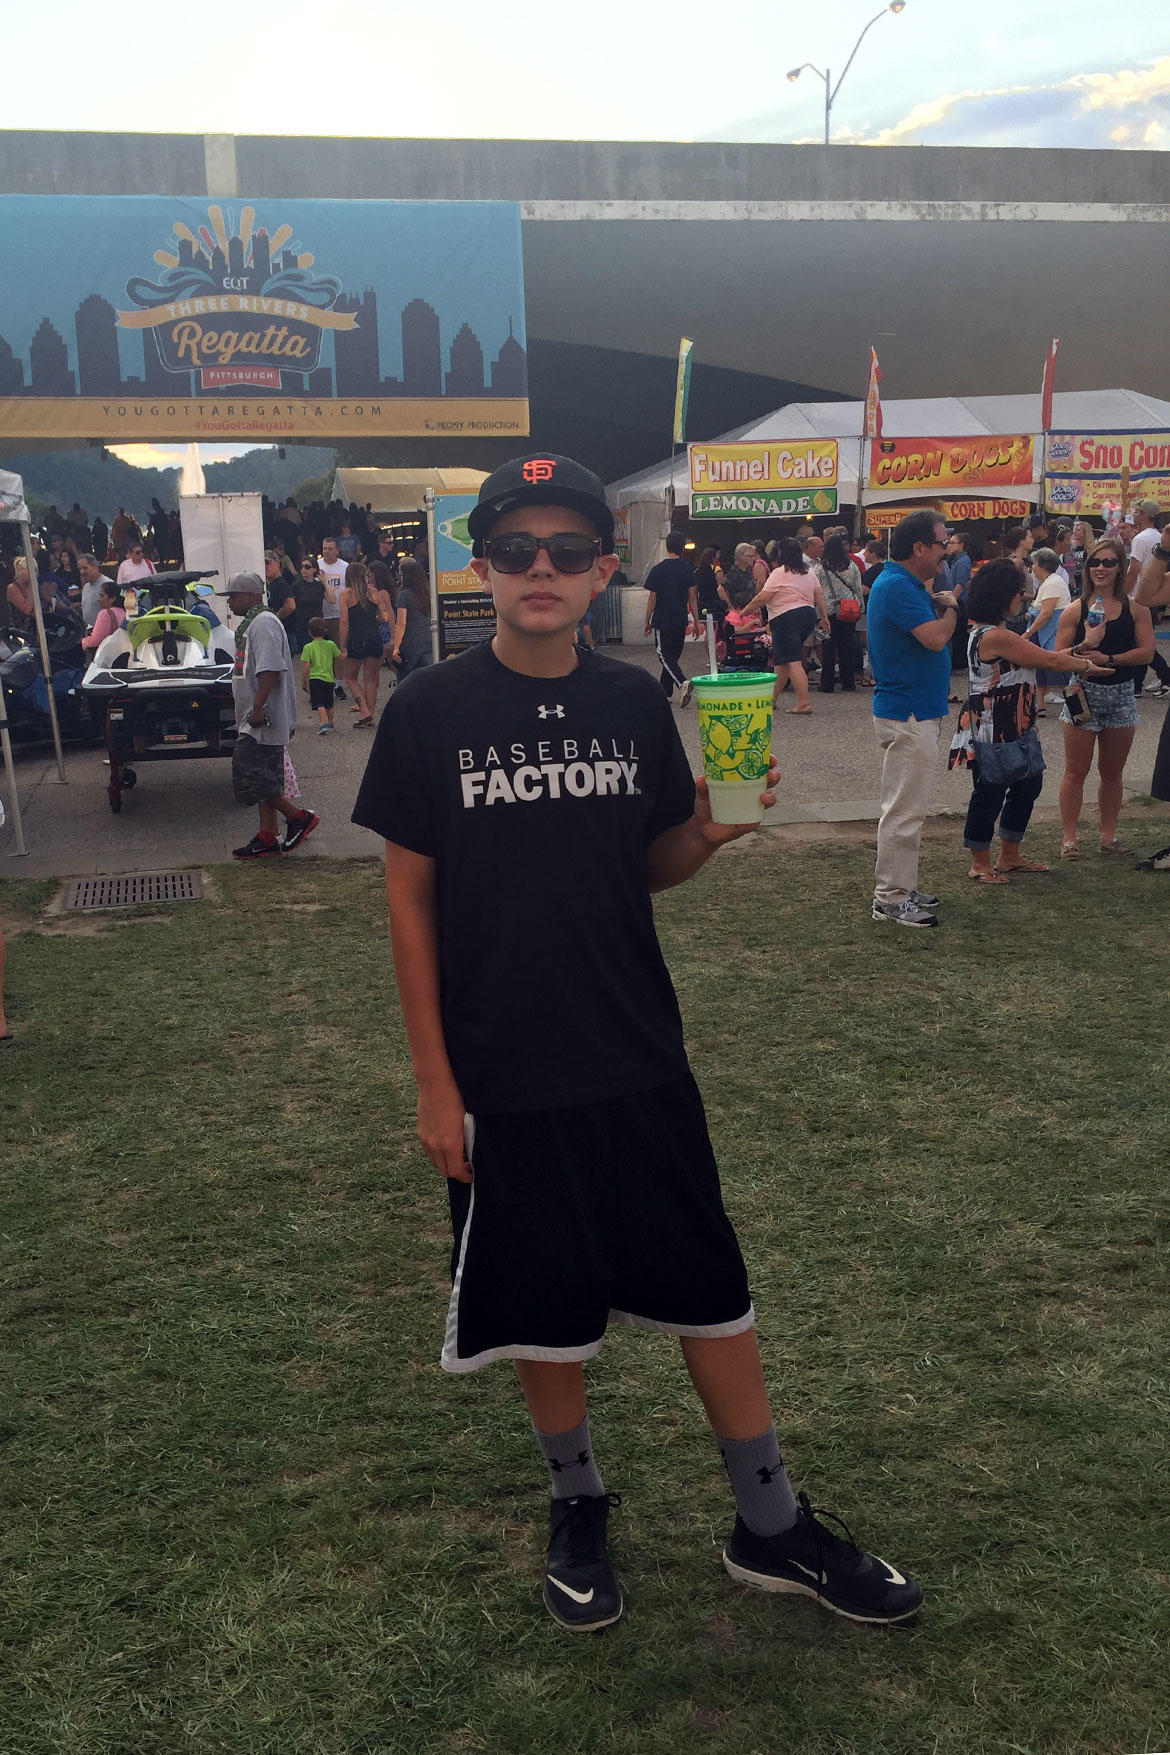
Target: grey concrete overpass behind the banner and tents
x,y
781,262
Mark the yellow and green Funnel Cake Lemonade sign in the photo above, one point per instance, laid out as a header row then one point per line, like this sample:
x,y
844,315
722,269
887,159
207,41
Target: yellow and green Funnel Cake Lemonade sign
x,y
771,480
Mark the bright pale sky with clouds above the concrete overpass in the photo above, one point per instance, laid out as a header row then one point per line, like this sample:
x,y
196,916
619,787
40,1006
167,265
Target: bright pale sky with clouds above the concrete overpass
x,y
941,73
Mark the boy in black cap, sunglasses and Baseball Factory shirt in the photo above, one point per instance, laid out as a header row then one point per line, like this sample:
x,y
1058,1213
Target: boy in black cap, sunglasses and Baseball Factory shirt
x,y
520,787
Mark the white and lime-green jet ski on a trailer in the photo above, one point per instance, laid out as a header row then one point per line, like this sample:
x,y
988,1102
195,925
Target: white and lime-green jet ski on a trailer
x,y
164,682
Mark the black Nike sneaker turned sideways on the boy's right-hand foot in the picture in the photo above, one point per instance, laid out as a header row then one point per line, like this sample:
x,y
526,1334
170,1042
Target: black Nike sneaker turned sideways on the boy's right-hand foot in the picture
x,y
811,1561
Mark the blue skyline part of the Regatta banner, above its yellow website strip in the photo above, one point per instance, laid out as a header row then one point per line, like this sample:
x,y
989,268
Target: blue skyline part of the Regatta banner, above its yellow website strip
x,y
236,308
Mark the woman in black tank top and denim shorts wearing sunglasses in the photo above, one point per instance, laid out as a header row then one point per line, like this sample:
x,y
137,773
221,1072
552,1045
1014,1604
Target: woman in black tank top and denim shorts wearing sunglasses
x,y
1124,643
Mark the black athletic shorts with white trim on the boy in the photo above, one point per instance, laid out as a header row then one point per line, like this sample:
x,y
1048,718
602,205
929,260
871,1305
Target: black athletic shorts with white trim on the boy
x,y
574,1217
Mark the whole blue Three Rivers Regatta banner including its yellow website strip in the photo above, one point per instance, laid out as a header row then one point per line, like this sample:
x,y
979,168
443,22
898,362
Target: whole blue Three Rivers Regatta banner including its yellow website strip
x,y
182,319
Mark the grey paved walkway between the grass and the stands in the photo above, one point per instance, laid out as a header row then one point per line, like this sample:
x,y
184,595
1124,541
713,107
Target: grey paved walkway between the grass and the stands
x,y
183,813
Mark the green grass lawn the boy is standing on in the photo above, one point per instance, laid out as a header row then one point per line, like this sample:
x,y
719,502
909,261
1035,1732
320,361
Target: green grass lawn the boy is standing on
x,y
243,1510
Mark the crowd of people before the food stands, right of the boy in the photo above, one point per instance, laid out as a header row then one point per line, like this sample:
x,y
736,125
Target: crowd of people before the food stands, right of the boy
x,y
1046,617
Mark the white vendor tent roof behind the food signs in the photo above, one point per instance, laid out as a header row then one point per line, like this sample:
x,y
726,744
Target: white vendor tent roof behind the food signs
x,y
1083,412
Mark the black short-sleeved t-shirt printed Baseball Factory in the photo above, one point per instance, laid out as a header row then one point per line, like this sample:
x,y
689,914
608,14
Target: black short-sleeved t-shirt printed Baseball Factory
x,y
538,799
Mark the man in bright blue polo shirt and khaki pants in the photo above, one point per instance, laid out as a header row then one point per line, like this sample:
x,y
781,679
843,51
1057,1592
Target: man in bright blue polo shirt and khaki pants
x,y
911,664
